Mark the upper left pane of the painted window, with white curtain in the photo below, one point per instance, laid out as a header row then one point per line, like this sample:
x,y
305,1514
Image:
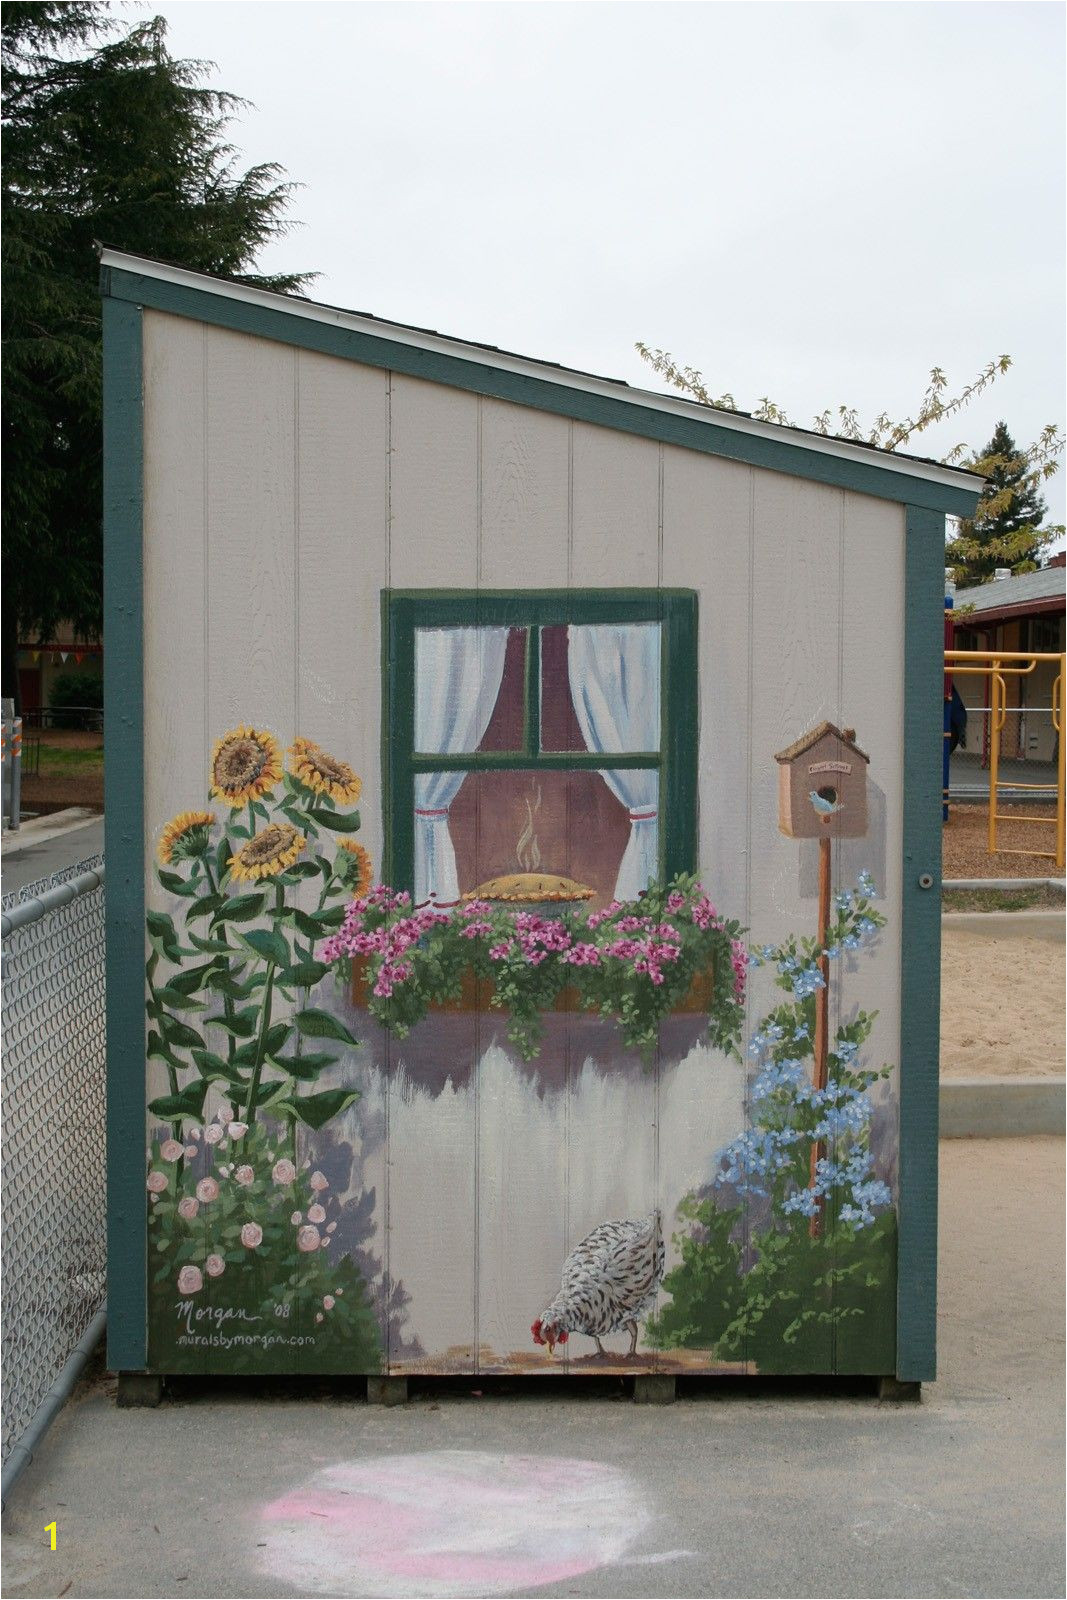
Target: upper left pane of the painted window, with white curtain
x,y
468,689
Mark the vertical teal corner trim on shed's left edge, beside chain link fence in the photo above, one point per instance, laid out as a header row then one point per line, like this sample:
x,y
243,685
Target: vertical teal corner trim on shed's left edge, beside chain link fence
x,y
124,838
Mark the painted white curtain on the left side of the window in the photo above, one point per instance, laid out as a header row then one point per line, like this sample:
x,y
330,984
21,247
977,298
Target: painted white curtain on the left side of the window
x,y
457,681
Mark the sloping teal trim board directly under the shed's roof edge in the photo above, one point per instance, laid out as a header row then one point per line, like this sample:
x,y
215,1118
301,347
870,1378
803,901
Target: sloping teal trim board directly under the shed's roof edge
x,y
775,455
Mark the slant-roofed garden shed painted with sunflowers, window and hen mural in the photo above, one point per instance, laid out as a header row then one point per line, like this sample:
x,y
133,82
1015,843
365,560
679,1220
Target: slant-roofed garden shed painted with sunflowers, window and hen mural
x,y
470,1009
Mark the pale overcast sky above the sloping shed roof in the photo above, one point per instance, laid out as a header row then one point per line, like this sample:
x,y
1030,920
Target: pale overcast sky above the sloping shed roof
x,y
815,202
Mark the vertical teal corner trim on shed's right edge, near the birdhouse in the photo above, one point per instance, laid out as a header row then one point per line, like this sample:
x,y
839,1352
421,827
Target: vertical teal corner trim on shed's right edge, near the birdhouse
x,y
921,942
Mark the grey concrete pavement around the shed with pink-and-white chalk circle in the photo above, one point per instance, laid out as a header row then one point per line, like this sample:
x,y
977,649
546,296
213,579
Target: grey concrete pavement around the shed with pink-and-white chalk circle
x,y
252,1490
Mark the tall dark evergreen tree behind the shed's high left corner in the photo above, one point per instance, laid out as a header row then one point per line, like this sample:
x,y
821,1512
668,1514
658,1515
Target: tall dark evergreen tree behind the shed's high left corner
x,y
106,137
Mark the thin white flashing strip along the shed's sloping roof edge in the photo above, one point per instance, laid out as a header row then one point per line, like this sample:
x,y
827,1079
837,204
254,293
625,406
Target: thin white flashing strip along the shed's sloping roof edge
x,y
567,378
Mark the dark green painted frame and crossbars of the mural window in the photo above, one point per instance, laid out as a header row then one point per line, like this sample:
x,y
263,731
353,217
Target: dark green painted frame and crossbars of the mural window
x,y
407,610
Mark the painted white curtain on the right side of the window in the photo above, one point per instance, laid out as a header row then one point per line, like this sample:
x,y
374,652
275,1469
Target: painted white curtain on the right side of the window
x,y
615,689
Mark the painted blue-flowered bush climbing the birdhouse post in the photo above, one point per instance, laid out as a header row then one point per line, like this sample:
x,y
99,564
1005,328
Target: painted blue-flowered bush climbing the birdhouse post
x,y
756,1281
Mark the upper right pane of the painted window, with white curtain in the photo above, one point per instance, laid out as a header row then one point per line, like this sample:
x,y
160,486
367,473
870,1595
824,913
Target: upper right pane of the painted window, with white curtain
x,y
601,687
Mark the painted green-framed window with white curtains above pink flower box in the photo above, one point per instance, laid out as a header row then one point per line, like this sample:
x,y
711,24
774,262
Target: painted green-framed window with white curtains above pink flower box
x,y
540,734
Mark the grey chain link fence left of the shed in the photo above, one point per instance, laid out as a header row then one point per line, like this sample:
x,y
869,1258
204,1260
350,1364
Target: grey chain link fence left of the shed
x,y
54,1230
